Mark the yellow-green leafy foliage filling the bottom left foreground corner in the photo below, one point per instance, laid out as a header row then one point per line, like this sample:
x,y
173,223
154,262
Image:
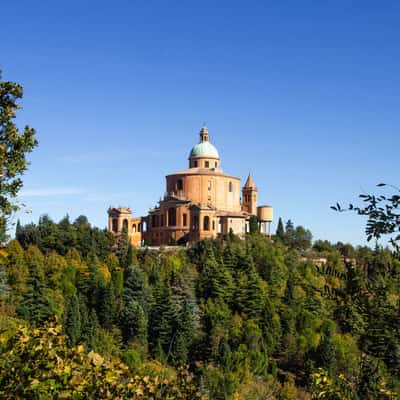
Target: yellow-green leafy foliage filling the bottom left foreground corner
x,y
37,364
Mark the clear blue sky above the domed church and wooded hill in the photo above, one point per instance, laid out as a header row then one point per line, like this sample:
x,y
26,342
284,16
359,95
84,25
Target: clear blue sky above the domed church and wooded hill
x,y
304,94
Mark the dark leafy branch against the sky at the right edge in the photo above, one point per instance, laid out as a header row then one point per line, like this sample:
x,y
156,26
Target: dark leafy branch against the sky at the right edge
x,y
383,214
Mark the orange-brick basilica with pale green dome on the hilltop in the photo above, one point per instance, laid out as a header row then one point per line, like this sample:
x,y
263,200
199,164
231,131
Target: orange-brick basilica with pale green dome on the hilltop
x,y
200,202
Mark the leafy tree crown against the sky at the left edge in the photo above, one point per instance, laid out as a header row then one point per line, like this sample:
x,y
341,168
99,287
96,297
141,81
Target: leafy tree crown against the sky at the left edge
x,y
14,146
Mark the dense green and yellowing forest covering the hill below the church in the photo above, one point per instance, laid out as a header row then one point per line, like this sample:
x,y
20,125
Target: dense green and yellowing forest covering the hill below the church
x,y
86,316
